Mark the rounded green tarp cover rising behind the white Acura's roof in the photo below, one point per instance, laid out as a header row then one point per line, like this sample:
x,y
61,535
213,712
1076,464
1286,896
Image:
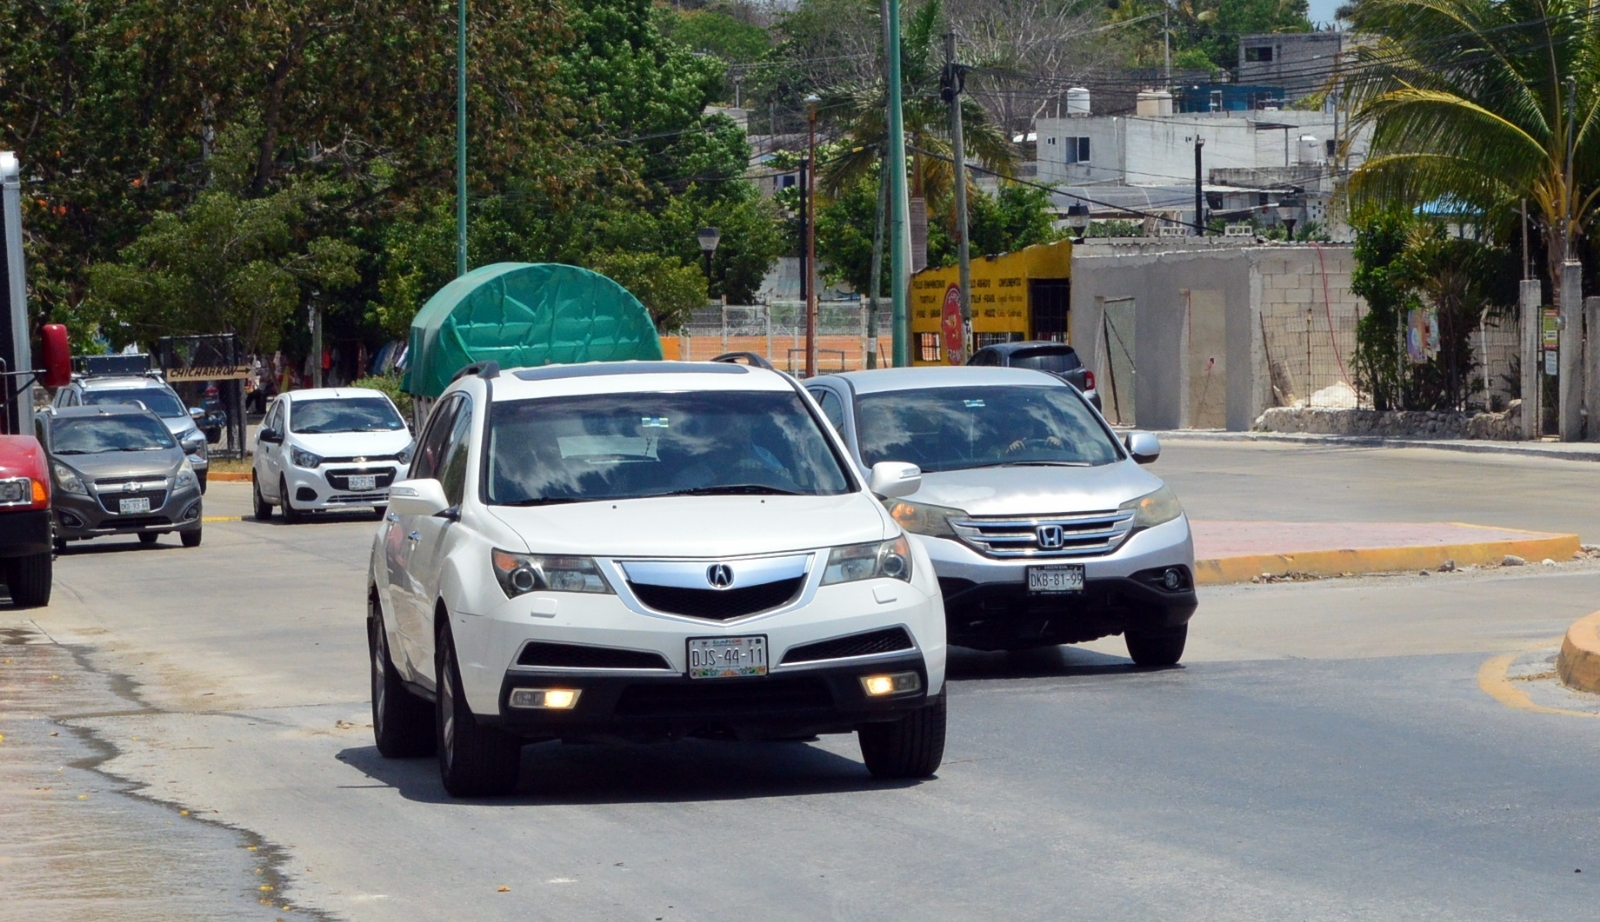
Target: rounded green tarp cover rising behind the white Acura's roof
x,y
526,315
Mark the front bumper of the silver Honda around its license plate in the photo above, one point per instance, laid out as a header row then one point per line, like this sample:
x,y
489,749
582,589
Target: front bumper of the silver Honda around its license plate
x,y
988,604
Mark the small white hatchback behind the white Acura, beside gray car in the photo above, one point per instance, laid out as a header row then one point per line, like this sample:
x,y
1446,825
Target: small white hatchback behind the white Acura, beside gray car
x,y
329,449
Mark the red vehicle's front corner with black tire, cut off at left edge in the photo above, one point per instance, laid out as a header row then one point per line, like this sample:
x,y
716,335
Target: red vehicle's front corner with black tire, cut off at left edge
x,y
25,521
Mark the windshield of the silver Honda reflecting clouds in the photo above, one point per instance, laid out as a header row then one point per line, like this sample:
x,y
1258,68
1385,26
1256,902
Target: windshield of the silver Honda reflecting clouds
x,y
958,428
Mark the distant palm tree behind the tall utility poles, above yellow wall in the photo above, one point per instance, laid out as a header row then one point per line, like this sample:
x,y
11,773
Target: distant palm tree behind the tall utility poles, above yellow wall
x,y
860,113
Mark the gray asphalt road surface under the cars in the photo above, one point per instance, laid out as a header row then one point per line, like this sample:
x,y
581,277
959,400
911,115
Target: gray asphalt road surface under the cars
x,y
1326,752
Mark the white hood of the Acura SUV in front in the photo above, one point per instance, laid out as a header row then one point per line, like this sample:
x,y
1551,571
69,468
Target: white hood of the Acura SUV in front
x,y
698,526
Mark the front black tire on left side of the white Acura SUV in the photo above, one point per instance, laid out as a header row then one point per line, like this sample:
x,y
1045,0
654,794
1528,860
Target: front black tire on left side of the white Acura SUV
x,y
474,761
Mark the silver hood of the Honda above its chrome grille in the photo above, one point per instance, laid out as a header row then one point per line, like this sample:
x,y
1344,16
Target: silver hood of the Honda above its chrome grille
x,y
1036,491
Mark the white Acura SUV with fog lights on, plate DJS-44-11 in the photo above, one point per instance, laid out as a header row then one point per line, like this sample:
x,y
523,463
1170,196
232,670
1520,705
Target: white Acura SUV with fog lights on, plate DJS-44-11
x,y
647,551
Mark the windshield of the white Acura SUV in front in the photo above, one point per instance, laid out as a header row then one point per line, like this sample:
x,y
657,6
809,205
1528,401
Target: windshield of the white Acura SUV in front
x,y
631,446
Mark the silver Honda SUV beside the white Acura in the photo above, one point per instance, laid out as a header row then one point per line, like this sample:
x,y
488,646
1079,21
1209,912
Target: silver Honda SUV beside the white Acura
x,y
1042,526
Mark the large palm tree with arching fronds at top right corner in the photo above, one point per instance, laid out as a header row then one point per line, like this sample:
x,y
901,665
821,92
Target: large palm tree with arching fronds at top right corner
x,y
1470,102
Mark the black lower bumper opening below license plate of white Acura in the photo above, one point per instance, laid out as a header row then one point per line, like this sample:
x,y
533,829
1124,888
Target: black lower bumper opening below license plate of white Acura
x,y
713,699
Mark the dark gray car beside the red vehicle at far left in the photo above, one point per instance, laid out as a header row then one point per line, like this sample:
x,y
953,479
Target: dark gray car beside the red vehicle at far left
x,y
119,471
